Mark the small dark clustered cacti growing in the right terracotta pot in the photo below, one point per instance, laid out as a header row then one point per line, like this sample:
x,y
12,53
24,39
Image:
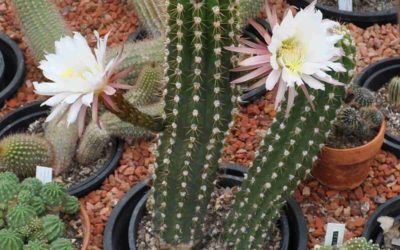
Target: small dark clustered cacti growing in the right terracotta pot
x,y
357,121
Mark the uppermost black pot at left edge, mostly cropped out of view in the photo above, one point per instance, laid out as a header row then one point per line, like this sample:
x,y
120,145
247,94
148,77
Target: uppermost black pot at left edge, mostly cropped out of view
x,y
13,74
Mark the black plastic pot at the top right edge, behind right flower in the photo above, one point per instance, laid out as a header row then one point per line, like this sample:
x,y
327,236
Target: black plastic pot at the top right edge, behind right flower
x,y
361,19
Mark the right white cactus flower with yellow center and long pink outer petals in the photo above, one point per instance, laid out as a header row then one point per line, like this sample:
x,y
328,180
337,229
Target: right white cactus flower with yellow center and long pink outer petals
x,y
299,52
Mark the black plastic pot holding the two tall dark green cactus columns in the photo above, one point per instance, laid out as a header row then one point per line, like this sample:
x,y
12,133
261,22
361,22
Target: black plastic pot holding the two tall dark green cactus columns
x,y
120,231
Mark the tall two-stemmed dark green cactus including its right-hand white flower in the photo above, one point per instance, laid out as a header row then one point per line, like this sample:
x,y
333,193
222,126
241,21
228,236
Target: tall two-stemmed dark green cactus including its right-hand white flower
x,y
200,104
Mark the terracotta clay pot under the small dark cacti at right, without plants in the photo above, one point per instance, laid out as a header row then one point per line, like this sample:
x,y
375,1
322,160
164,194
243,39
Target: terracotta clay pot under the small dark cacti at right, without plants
x,y
344,169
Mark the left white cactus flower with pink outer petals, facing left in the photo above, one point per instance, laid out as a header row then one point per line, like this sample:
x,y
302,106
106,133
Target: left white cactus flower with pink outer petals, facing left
x,y
79,78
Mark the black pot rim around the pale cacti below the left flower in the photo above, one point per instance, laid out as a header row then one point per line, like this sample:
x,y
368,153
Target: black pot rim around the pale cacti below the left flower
x,y
19,120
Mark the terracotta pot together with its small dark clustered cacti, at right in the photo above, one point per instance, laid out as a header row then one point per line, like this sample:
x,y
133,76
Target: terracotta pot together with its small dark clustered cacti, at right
x,y
355,139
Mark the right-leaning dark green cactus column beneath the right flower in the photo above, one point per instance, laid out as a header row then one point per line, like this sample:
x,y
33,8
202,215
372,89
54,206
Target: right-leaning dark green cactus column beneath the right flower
x,y
284,158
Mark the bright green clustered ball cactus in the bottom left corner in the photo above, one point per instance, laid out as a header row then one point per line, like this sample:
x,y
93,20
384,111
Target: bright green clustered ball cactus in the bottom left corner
x,y
23,225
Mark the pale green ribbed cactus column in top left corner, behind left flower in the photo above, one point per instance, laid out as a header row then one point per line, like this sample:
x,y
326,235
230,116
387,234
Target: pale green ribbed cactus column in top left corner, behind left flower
x,y
42,23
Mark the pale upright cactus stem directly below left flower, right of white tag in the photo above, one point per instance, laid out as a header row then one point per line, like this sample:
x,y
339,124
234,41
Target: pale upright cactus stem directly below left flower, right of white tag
x,y
64,138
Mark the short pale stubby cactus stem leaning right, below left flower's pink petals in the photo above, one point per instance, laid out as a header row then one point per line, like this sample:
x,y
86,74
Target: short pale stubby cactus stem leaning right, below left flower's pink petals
x,y
92,144
